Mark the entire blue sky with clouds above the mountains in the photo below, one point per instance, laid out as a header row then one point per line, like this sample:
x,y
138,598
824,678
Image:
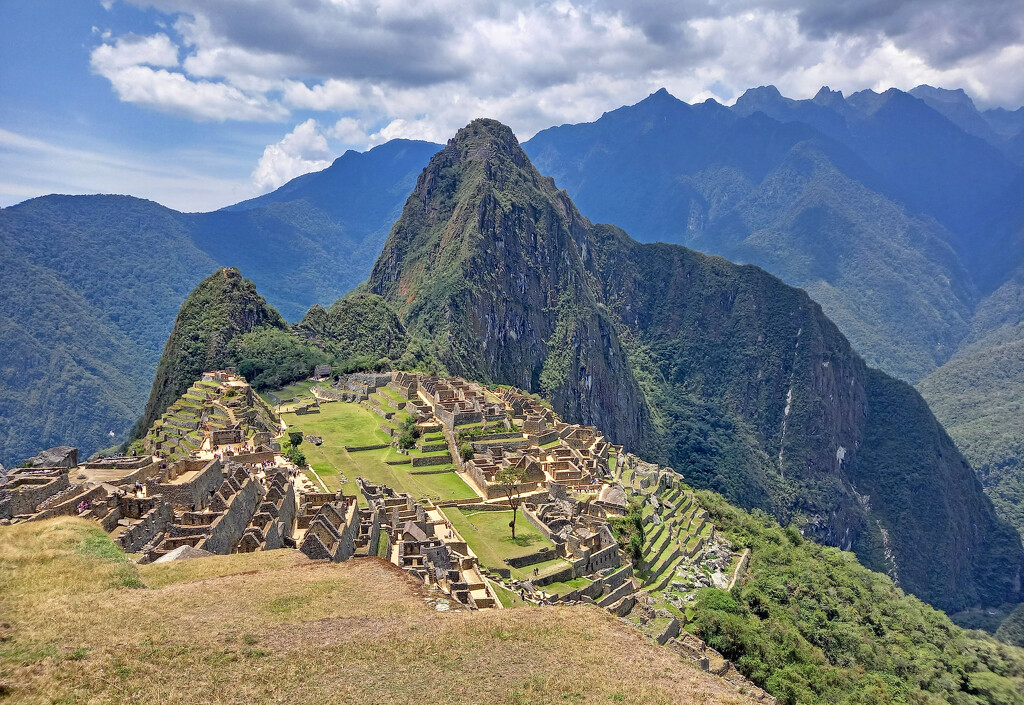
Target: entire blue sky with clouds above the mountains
x,y
201,104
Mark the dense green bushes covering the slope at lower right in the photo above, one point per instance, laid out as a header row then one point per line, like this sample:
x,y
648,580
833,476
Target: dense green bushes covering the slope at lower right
x,y
813,626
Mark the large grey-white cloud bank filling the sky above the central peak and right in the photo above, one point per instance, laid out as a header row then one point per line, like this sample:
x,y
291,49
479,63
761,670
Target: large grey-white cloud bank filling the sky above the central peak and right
x,y
375,70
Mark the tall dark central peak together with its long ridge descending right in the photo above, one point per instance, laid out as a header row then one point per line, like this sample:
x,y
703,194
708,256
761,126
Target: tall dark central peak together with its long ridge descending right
x,y
723,371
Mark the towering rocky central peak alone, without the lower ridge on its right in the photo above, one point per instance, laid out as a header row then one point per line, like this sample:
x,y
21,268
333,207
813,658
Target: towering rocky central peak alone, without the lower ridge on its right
x,y
490,264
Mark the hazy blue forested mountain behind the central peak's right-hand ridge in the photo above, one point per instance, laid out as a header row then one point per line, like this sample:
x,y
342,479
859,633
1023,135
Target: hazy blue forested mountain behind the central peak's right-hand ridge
x,y
781,195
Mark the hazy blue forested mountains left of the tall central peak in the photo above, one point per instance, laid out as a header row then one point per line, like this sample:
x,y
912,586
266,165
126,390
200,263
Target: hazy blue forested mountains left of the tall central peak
x,y
92,285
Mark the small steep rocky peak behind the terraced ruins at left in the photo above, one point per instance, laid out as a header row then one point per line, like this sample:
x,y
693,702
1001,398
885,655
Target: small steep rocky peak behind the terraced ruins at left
x,y
223,307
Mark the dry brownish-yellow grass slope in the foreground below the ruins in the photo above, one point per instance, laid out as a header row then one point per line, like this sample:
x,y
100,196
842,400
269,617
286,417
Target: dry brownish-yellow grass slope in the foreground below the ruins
x,y
79,624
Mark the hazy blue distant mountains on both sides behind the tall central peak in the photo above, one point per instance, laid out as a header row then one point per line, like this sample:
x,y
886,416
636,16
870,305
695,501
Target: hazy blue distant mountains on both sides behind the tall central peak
x,y
899,213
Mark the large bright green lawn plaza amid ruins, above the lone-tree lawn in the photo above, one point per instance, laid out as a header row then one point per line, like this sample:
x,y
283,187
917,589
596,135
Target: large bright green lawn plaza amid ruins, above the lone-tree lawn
x,y
344,425
